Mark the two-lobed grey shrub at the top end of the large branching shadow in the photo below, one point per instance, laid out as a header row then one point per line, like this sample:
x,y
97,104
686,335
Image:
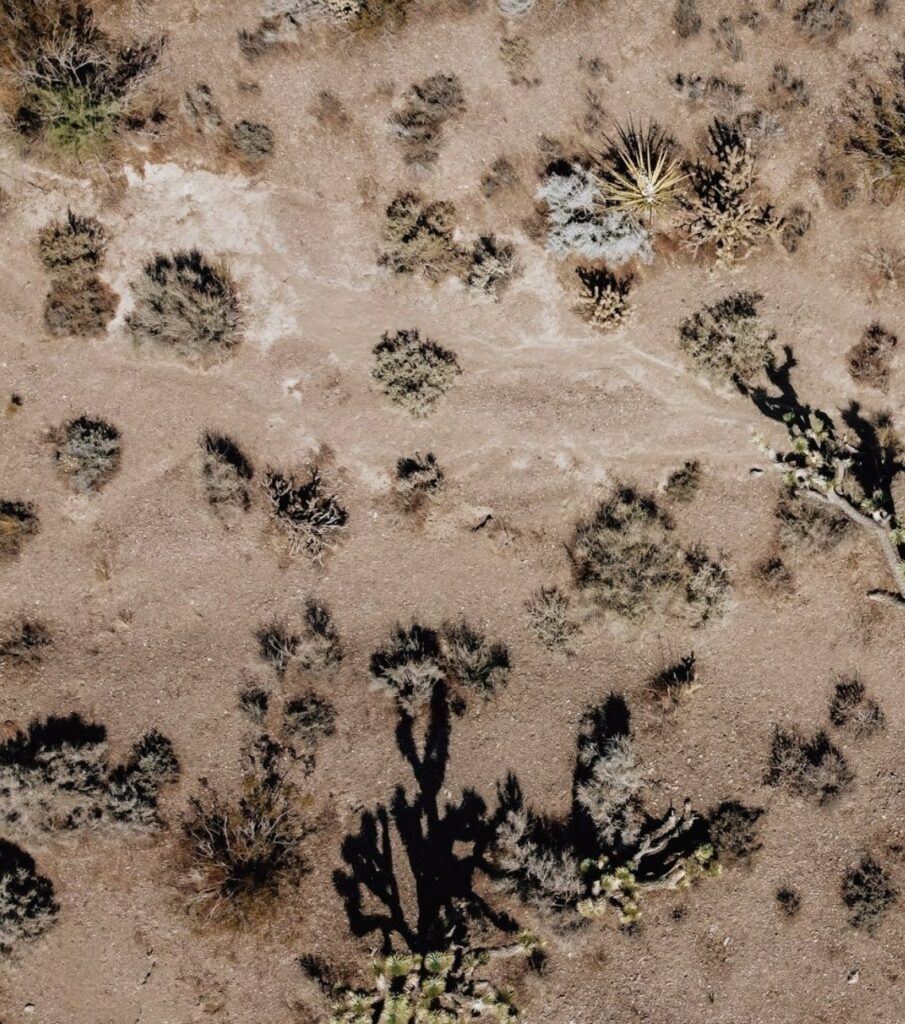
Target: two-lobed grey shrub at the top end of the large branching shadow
x,y
417,660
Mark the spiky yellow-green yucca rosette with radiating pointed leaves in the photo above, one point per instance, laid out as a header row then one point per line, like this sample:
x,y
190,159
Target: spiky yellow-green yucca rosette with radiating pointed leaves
x,y
640,176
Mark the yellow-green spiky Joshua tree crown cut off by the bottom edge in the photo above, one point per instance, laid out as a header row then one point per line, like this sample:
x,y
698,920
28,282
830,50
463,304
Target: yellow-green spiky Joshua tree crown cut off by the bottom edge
x,y
441,988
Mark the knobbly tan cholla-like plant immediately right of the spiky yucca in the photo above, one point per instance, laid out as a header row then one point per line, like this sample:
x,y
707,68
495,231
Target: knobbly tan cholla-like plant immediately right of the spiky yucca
x,y
718,214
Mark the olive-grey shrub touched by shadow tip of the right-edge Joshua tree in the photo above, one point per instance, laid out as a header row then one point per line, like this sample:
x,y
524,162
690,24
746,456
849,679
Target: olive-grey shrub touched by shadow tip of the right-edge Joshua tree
x,y
727,342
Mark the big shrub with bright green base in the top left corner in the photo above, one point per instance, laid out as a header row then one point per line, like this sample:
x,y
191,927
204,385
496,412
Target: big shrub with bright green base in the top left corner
x,y
70,87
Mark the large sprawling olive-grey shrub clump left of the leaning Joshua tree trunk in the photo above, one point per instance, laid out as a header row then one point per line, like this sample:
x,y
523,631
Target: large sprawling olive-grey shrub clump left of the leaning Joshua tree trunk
x,y
626,557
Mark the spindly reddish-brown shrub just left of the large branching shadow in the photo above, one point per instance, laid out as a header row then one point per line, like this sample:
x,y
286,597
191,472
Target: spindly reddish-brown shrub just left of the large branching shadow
x,y
241,849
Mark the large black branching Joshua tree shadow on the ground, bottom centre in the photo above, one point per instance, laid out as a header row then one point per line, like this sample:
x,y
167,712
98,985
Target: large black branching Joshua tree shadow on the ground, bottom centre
x,y
426,897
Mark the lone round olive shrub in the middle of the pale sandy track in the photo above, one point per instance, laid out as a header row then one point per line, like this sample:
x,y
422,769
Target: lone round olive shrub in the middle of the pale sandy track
x,y
414,372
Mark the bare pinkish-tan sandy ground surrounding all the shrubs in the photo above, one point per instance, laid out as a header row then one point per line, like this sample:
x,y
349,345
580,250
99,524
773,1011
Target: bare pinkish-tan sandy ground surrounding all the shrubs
x,y
153,601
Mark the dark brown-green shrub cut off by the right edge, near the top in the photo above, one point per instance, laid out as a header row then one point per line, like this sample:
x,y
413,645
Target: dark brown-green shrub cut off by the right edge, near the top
x,y
874,124
